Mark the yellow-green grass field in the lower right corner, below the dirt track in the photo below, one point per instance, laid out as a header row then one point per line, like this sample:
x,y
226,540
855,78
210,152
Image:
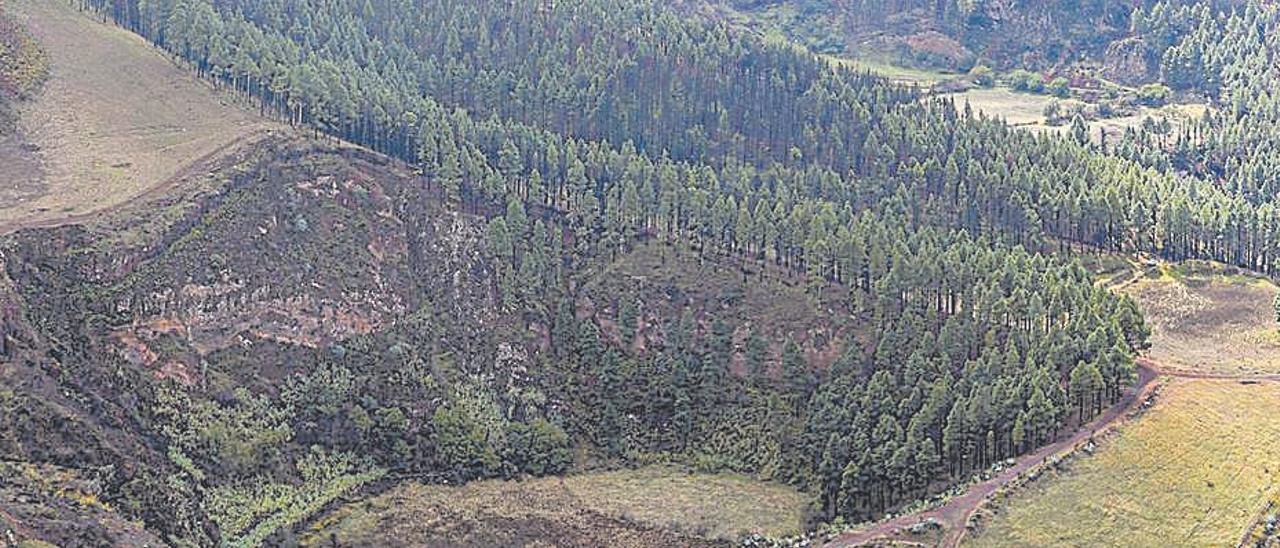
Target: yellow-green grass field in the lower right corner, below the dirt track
x,y
1194,472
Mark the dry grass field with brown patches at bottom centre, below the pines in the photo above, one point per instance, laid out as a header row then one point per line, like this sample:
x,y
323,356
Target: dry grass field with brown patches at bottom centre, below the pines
x,y
653,506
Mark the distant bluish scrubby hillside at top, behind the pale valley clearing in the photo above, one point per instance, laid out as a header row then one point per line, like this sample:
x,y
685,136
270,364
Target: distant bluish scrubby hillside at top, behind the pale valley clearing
x,y
1041,35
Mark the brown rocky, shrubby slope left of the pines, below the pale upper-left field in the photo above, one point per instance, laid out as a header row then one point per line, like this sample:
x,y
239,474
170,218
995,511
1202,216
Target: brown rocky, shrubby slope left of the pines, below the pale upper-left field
x,y
143,354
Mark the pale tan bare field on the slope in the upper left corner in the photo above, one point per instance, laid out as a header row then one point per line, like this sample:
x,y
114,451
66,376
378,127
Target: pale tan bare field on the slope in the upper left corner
x,y
116,120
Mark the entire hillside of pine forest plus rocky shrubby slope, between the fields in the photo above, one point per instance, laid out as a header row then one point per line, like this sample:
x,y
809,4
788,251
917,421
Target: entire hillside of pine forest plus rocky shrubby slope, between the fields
x,y
595,235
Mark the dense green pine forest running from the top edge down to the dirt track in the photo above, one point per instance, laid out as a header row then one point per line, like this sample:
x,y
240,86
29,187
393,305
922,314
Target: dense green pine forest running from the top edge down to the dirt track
x,y
582,129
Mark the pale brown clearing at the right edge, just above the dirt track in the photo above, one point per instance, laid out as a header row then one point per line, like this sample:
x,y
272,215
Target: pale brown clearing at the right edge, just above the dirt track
x,y
1210,319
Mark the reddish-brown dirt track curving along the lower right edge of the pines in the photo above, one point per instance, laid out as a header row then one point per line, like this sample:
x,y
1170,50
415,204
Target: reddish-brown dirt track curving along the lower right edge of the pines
x,y
954,514
